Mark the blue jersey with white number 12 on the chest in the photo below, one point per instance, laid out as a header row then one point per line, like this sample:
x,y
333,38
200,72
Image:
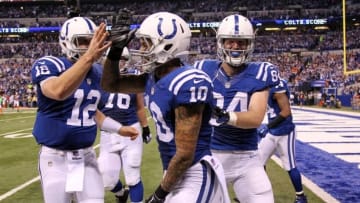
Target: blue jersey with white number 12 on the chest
x,y
66,124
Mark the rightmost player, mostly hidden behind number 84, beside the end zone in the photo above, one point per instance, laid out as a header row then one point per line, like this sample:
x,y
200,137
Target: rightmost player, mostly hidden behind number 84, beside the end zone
x,y
279,136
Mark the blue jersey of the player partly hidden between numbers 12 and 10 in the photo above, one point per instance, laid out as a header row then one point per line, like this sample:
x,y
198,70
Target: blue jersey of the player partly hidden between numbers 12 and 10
x,y
121,107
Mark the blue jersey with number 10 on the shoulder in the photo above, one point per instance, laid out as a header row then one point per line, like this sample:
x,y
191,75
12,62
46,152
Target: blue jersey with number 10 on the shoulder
x,y
183,86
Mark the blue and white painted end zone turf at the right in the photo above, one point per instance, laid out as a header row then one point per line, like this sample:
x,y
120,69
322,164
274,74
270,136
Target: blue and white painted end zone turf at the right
x,y
323,137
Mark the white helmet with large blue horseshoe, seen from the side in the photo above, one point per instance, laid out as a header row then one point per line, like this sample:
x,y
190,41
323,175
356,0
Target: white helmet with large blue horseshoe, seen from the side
x,y
166,36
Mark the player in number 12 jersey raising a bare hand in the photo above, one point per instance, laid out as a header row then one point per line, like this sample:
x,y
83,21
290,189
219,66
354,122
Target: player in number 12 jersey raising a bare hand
x,y
68,91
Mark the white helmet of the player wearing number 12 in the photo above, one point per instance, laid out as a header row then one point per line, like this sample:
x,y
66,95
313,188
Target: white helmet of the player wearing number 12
x,y
74,32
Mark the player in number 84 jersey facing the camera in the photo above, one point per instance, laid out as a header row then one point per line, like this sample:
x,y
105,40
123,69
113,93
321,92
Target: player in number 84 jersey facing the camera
x,y
241,89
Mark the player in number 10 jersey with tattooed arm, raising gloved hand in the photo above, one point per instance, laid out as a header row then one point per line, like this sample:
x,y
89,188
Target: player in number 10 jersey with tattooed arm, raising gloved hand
x,y
179,99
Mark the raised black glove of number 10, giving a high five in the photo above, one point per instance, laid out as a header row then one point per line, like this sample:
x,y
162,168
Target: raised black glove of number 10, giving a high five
x,y
120,34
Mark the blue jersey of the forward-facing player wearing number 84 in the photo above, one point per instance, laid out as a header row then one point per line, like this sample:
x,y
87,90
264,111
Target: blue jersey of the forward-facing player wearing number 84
x,y
233,94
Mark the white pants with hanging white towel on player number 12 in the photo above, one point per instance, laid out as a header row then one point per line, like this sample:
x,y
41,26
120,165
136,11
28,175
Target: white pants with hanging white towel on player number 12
x,y
54,168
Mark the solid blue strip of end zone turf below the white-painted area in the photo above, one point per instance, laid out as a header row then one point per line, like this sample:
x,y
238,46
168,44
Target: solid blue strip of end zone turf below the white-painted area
x,y
337,177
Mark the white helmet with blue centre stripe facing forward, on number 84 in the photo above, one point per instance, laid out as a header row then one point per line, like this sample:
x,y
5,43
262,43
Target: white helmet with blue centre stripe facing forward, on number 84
x,y
235,27
